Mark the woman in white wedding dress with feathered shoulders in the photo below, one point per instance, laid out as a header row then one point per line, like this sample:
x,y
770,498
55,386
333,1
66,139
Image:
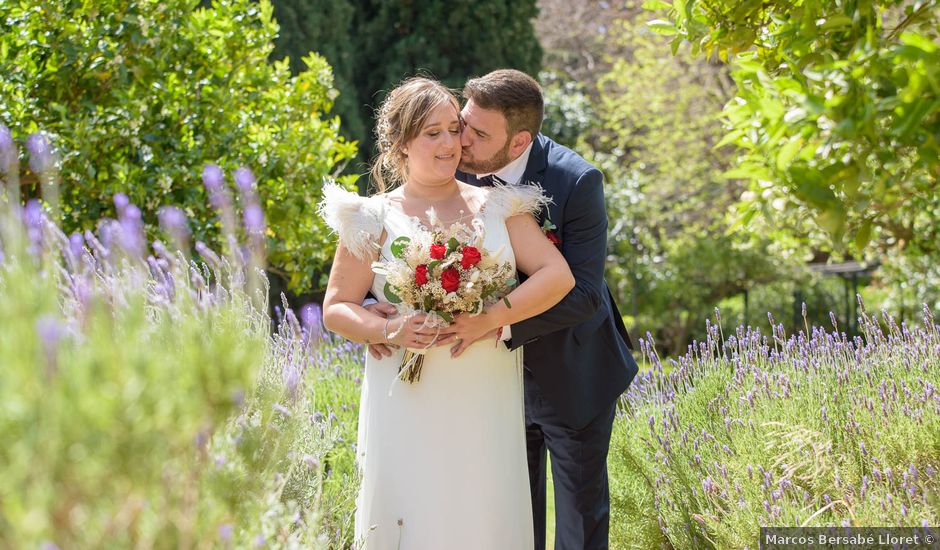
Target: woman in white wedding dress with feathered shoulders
x,y
443,460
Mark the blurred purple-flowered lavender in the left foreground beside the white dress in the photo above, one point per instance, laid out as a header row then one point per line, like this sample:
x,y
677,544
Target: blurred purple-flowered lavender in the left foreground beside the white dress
x,y
144,399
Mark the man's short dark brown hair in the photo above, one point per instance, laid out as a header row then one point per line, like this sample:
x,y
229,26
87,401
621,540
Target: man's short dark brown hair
x,y
513,93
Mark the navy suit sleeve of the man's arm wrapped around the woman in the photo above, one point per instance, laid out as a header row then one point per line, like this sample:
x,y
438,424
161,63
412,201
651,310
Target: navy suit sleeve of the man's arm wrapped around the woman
x,y
584,246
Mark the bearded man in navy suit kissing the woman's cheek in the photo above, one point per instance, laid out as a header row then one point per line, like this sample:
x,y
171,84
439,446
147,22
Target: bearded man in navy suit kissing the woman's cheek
x,y
577,354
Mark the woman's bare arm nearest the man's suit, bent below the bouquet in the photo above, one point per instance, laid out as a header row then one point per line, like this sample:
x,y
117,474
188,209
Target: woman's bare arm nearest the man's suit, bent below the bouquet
x,y
549,280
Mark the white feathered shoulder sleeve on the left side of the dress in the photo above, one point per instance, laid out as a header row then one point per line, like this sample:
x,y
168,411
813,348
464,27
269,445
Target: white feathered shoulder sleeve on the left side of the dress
x,y
356,220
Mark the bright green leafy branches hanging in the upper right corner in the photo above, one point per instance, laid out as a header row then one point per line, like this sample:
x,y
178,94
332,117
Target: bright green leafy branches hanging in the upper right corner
x,y
837,111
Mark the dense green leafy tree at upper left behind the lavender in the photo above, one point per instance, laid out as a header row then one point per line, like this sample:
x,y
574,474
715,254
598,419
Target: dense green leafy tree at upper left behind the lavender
x,y
137,95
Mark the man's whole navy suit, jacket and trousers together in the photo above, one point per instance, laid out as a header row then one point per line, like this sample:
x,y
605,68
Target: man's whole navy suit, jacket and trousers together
x,y
577,357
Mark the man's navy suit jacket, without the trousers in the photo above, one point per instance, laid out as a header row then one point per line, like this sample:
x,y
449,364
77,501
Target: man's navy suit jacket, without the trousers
x,y
578,351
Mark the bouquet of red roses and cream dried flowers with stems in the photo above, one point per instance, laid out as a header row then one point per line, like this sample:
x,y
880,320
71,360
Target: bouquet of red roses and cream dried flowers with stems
x,y
442,273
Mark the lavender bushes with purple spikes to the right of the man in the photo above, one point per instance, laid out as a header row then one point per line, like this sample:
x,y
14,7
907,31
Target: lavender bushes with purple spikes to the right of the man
x,y
751,430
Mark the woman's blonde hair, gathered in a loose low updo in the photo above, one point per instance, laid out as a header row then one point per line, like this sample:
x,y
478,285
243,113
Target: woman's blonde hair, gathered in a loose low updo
x,y
399,120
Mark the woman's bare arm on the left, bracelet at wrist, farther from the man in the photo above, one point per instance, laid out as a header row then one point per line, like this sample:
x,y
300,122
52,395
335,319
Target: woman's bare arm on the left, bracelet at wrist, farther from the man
x,y
350,280
